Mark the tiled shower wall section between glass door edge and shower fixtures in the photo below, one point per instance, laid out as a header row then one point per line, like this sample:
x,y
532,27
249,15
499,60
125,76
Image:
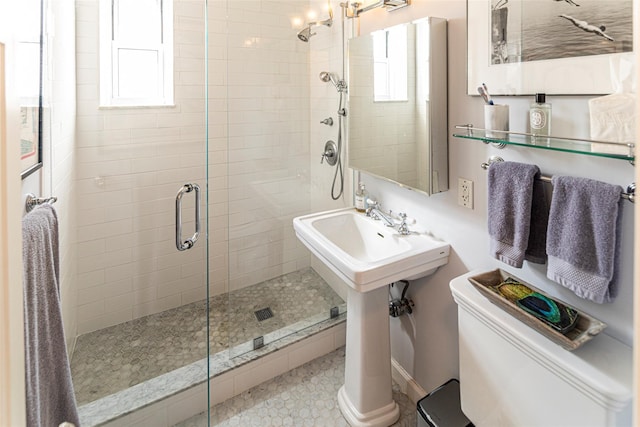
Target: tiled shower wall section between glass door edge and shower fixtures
x,y
268,113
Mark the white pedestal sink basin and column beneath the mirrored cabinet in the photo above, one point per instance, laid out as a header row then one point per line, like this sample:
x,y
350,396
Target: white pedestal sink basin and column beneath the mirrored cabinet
x,y
368,256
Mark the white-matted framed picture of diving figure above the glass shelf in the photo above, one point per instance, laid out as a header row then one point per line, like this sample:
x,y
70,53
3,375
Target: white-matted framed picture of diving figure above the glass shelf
x,y
558,47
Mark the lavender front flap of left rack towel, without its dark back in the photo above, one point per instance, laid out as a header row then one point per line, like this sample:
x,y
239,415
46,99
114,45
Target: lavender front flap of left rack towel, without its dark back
x,y
510,198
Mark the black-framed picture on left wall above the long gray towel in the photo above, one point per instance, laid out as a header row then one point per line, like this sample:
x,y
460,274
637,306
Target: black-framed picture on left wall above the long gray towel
x,y
29,58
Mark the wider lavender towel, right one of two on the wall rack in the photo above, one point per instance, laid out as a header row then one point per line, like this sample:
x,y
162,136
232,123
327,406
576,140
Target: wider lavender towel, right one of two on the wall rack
x,y
582,238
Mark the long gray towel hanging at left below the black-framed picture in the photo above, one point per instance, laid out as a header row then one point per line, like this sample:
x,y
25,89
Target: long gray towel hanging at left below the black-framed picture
x,y
50,396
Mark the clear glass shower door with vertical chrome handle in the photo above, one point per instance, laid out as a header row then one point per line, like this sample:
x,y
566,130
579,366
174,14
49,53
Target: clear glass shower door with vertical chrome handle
x,y
141,255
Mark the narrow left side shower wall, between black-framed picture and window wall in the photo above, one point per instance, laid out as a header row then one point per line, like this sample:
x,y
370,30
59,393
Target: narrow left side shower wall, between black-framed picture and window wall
x,y
58,145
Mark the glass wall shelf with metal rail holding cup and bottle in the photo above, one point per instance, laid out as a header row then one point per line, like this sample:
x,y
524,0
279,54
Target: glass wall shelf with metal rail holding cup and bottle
x,y
501,139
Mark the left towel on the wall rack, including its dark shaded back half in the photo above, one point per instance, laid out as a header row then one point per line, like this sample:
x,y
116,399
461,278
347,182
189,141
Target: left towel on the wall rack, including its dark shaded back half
x,y
517,214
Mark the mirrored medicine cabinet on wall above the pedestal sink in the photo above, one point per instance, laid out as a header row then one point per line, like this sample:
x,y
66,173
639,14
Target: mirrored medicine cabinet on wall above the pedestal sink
x,y
398,105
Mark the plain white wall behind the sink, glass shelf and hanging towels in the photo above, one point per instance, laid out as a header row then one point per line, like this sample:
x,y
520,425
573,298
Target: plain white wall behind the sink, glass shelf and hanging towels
x,y
426,342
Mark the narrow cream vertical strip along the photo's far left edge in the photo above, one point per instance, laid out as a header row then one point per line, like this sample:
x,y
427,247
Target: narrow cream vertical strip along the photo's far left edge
x,y
12,361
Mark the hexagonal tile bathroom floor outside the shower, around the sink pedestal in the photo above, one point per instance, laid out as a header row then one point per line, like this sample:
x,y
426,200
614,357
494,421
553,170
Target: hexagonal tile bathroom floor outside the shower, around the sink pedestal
x,y
305,396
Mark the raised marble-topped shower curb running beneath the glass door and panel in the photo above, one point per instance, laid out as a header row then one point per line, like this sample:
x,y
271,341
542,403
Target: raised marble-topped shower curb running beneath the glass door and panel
x,y
175,396
